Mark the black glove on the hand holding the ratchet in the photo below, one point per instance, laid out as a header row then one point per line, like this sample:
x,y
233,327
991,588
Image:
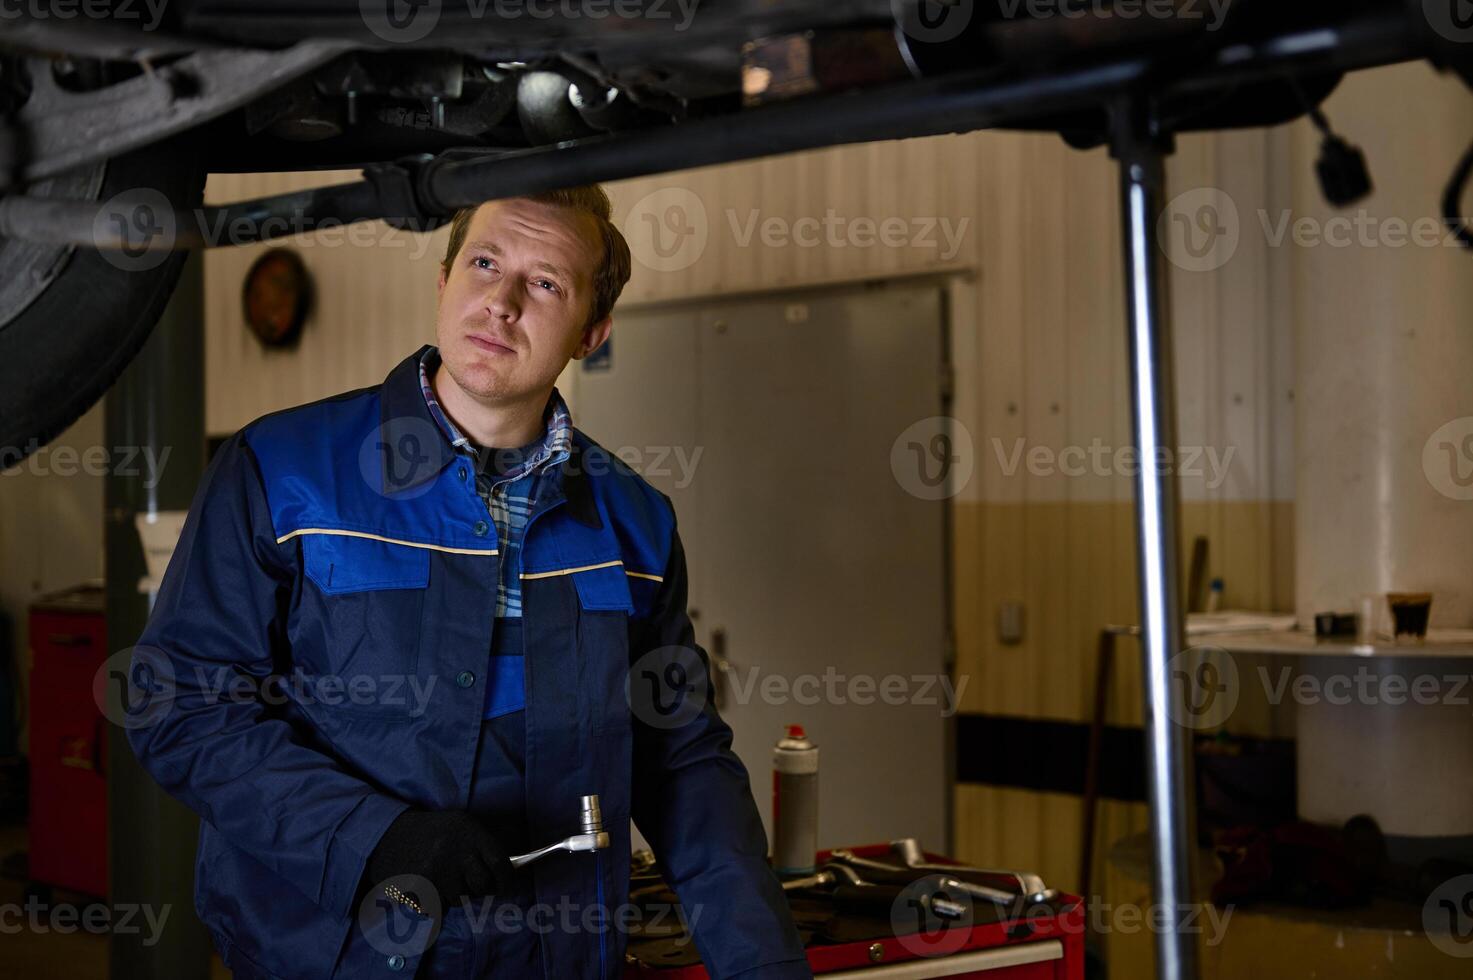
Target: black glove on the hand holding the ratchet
x,y
453,850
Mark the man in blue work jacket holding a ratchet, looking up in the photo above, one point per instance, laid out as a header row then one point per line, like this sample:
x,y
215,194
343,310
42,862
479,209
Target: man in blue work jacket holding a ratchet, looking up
x,y
434,592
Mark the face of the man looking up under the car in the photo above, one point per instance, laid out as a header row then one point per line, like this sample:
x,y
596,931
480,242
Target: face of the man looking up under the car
x,y
518,297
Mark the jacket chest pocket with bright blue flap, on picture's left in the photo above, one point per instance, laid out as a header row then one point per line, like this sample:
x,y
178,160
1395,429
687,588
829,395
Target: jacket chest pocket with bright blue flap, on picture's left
x,y
363,615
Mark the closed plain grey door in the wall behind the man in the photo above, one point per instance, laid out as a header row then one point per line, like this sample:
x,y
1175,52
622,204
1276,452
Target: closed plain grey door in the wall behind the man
x,y
814,573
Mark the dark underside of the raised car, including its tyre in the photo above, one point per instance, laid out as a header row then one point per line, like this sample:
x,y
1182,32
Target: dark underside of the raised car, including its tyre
x,y
113,113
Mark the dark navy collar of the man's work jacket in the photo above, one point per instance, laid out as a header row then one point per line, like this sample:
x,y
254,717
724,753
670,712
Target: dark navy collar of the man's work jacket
x,y
415,450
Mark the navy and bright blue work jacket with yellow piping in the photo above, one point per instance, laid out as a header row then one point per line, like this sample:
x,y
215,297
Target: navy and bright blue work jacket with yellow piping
x,y
344,542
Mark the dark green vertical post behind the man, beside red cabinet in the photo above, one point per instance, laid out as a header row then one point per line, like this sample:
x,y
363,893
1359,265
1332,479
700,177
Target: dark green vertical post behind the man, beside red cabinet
x,y
157,410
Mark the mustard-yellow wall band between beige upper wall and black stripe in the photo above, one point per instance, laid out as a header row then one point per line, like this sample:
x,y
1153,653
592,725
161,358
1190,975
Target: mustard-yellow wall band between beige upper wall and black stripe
x,y
1076,570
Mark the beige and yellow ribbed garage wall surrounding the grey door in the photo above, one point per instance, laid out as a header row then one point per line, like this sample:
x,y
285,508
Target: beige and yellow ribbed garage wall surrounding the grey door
x,y
1033,273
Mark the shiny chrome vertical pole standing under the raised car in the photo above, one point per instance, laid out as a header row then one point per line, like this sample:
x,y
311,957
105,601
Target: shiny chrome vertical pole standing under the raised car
x,y
1142,153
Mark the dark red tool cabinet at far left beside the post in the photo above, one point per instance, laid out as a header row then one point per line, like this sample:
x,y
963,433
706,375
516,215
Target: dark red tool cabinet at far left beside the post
x,y
68,743
